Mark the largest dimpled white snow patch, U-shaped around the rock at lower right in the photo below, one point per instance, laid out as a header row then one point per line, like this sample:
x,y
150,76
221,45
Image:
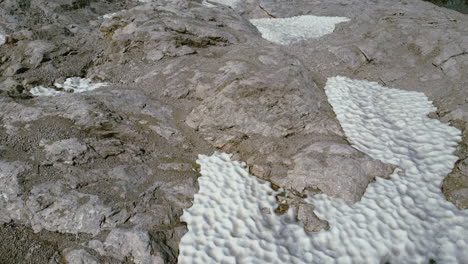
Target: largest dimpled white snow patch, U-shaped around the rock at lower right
x,y
402,220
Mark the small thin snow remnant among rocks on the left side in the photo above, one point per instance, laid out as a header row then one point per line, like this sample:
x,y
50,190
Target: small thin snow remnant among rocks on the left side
x,y
73,85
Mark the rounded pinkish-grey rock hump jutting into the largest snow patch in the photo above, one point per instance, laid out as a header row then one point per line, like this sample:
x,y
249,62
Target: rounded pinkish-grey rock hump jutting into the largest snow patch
x,y
333,168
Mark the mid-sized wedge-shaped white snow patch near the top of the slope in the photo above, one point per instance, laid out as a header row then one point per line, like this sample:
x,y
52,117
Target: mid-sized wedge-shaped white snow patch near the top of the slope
x,y
285,31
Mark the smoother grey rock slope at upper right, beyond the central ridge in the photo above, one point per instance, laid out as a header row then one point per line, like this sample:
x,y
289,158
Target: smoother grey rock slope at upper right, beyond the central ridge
x,y
416,46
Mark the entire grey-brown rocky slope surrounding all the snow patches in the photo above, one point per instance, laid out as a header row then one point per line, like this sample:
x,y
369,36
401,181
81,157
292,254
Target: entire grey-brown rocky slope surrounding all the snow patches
x,y
103,176
